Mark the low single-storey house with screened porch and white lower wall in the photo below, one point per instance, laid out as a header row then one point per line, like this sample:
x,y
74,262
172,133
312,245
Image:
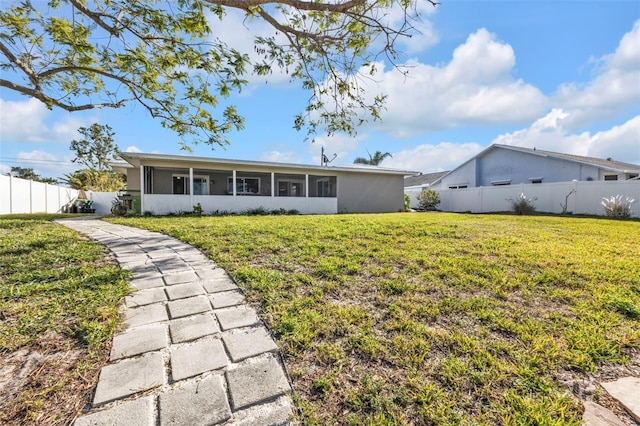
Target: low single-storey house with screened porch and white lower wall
x,y
163,184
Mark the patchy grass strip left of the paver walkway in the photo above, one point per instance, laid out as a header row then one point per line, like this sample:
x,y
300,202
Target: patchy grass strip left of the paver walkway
x,y
58,312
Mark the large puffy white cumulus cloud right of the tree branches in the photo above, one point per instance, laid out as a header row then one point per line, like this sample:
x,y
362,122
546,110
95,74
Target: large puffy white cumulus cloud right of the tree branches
x,y
474,88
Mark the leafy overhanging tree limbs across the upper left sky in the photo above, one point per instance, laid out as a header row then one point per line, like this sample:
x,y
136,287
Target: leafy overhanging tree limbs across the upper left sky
x,y
78,55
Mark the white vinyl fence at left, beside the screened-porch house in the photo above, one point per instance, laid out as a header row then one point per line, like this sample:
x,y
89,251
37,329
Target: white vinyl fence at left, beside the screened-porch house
x,y
26,196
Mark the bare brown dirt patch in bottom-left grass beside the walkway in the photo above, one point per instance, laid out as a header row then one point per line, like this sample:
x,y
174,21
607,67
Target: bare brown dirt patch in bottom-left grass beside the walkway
x,y
47,383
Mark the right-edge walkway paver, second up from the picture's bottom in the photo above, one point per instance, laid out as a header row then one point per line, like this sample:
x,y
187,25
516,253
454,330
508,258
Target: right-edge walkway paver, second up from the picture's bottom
x,y
256,382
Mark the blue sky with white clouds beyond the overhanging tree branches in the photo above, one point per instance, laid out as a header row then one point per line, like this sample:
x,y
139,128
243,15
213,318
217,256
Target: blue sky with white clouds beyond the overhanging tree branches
x,y
557,75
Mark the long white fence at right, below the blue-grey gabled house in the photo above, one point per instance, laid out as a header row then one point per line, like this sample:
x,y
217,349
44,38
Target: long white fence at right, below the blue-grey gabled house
x,y
548,197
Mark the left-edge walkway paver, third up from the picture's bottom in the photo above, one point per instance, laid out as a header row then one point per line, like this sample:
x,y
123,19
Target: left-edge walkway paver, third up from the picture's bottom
x,y
136,341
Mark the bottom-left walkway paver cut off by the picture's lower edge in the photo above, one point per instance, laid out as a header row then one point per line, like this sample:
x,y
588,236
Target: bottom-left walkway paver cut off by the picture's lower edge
x,y
138,412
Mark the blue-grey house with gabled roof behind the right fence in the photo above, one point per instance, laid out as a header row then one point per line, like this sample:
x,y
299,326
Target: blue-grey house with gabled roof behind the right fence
x,y
510,165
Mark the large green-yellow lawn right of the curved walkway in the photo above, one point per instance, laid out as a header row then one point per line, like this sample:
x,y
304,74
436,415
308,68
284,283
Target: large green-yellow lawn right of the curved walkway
x,y
433,318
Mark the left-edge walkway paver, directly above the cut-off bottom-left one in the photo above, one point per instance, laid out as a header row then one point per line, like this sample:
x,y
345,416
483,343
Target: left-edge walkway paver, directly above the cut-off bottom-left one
x,y
128,377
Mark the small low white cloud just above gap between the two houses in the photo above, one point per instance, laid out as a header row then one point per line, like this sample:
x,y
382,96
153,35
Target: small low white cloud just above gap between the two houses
x,y
433,158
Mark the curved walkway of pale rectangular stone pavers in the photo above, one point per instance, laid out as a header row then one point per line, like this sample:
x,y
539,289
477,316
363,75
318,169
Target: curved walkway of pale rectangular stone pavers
x,y
193,352
